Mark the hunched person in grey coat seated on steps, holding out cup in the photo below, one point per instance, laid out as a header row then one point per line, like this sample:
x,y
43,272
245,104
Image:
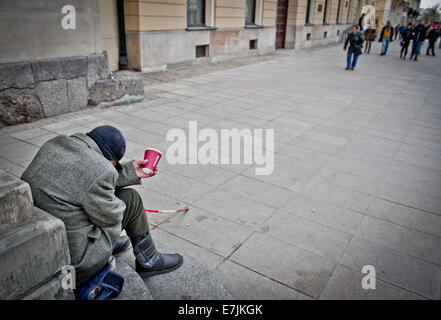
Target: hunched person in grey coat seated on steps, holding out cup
x,y
79,180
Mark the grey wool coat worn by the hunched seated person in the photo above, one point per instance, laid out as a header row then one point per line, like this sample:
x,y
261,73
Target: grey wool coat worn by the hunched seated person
x,y
71,179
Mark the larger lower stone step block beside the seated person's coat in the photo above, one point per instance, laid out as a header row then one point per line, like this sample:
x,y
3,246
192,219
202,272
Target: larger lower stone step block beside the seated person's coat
x,y
31,258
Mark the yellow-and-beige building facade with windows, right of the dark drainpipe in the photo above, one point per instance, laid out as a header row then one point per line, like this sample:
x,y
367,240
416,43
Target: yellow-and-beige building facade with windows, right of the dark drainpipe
x,y
172,33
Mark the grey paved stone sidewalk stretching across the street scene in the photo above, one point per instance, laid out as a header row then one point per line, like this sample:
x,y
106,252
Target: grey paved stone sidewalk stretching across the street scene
x,y
357,178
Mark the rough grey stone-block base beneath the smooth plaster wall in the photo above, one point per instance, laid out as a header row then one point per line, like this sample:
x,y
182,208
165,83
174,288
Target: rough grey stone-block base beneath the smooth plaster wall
x,y
44,88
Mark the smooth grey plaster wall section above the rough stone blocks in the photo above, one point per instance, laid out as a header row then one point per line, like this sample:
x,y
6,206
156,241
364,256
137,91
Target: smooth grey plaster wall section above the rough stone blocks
x,y
37,33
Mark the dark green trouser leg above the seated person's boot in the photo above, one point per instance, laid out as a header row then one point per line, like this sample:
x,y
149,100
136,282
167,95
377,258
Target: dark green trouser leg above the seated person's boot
x,y
134,219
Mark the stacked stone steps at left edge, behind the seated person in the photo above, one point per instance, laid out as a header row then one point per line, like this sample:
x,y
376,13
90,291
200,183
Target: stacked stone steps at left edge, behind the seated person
x,y
33,246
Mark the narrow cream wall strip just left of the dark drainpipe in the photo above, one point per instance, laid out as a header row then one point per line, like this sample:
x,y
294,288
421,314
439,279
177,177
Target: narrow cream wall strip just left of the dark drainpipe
x,y
109,27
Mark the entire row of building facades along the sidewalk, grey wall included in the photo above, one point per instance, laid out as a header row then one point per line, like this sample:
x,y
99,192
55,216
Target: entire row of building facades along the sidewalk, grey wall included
x,y
56,54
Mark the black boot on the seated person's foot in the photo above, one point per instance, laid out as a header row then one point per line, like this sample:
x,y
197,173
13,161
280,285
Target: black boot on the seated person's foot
x,y
150,262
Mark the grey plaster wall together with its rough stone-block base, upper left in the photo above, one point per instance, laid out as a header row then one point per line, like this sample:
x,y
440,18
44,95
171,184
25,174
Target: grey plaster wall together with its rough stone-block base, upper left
x,y
47,69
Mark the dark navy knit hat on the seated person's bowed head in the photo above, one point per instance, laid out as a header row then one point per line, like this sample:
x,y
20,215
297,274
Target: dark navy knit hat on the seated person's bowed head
x,y
110,141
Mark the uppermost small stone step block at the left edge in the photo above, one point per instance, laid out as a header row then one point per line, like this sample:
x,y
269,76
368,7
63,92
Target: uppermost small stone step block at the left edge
x,y
16,204
